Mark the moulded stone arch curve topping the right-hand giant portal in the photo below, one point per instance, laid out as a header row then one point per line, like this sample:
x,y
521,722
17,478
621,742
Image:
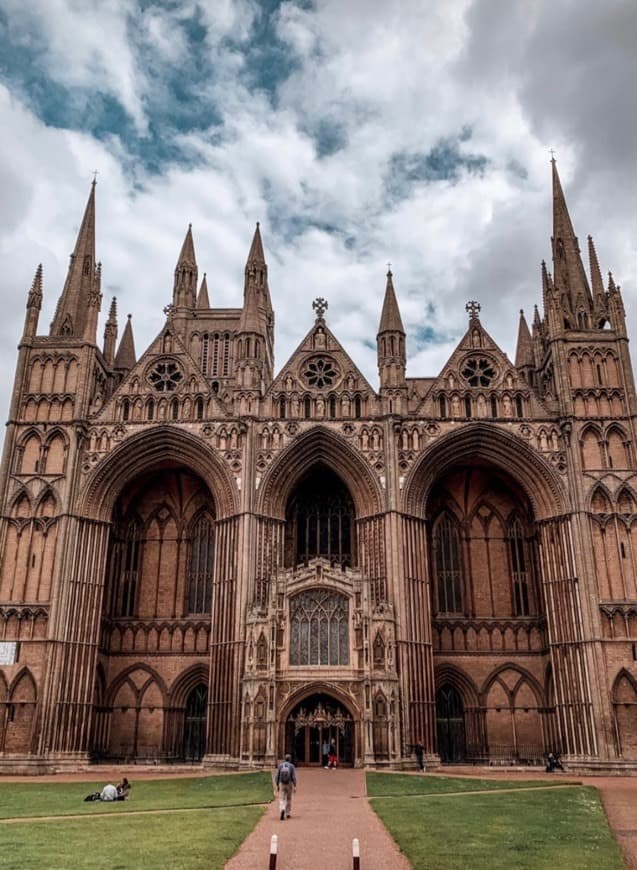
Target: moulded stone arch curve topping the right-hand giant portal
x,y
481,443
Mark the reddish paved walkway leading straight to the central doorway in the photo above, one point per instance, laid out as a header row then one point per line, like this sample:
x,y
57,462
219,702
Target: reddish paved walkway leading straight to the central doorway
x,y
329,809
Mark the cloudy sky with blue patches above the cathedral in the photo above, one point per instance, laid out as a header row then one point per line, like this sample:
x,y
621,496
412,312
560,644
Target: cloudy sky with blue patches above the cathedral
x,y
357,131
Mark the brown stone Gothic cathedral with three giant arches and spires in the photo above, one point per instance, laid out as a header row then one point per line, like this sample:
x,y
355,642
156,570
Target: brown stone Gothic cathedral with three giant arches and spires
x,y
206,560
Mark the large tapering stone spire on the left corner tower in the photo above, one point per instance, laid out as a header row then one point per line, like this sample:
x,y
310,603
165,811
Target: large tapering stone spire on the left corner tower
x,y
79,304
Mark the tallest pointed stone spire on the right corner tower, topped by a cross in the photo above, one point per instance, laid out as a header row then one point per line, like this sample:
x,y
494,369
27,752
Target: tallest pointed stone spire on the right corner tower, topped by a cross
x,y
568,270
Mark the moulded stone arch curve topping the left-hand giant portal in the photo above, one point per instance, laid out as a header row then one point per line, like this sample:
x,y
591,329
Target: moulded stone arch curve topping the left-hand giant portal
x,y
149,450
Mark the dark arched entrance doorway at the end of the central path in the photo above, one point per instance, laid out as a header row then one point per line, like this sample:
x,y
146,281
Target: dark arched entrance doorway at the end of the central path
x,y
313,724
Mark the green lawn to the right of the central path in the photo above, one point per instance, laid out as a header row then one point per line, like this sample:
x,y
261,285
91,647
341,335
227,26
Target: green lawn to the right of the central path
x,y
542,828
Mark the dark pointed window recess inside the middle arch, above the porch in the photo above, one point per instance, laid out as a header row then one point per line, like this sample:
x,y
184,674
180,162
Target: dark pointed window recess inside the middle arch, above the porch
x,y
320,518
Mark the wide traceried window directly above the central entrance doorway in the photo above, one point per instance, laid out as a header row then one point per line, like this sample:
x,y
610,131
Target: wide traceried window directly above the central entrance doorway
x,y
319,628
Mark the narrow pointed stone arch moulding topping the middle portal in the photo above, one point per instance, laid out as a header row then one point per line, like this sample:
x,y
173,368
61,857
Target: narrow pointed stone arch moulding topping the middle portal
x,y
319,445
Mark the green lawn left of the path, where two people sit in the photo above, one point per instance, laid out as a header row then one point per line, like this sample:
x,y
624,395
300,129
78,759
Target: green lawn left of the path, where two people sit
x,y
211,817
